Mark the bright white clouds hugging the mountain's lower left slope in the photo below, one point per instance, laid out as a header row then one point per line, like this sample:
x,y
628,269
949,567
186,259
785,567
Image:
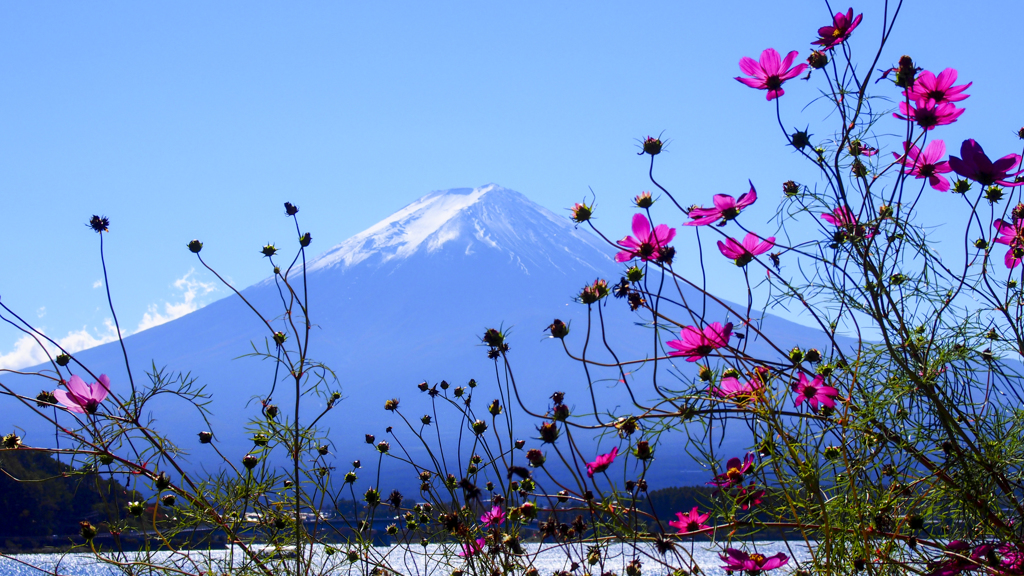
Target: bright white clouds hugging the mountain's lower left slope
x,y
28,353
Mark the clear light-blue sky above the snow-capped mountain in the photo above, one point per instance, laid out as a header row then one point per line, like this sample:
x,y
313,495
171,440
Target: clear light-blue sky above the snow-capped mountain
x,y
199,120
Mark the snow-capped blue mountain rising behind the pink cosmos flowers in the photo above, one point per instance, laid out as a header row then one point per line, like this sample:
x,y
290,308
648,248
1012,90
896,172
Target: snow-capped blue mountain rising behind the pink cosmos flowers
x,y
407,302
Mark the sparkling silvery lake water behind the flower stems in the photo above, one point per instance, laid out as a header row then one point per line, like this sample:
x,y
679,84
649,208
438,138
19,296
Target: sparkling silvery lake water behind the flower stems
x,y
412,561
